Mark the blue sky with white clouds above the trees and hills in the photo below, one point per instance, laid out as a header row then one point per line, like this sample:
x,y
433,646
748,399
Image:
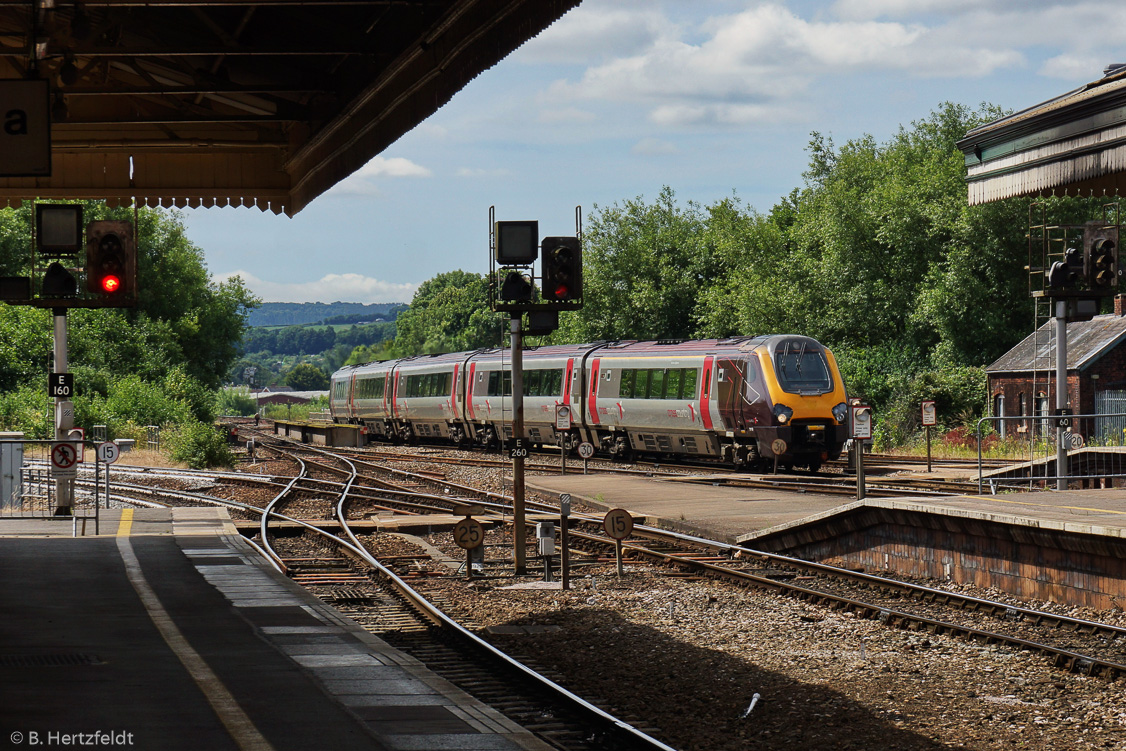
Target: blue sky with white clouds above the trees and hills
x,y
620,99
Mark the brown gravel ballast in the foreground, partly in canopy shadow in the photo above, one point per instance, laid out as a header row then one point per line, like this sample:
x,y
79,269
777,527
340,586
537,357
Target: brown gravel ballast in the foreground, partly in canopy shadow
x,y
689,658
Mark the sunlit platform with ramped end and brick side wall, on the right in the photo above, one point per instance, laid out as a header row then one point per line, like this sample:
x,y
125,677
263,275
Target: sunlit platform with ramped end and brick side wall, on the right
x,y
1062,547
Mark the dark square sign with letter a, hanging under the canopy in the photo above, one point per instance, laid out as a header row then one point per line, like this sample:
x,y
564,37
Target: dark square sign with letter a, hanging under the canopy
x,y
25,129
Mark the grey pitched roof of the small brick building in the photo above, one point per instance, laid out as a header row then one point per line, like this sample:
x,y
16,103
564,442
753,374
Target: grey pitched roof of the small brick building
x,y
1087,343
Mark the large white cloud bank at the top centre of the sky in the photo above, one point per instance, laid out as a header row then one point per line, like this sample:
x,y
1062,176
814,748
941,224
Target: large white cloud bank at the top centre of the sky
x,y
759,65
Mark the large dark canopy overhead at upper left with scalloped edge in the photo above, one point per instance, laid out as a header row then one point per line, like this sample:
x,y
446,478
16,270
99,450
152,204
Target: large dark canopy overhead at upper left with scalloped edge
x,y
244,103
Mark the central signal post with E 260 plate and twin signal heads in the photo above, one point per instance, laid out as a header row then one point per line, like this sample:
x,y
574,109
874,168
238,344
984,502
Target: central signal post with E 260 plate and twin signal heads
x,y
514,249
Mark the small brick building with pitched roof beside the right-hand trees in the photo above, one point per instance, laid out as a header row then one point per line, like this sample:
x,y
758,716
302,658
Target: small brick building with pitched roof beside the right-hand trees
x,y
1022,383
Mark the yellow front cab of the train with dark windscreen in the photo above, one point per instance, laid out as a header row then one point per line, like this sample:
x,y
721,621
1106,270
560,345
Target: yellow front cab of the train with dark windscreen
x,y
806,396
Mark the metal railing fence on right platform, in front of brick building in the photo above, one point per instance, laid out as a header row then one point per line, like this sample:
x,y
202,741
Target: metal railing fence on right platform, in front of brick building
x,y
1021,453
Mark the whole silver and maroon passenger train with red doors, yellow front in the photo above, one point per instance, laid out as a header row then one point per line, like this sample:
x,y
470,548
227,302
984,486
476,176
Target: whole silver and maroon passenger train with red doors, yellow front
x,y
741,401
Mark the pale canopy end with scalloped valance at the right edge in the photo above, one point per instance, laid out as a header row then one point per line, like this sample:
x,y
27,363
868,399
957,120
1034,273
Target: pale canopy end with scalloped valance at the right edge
x,y
1073,145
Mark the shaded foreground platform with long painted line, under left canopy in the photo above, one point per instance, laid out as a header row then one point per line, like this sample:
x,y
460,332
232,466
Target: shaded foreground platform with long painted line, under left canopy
x,y
168,631
